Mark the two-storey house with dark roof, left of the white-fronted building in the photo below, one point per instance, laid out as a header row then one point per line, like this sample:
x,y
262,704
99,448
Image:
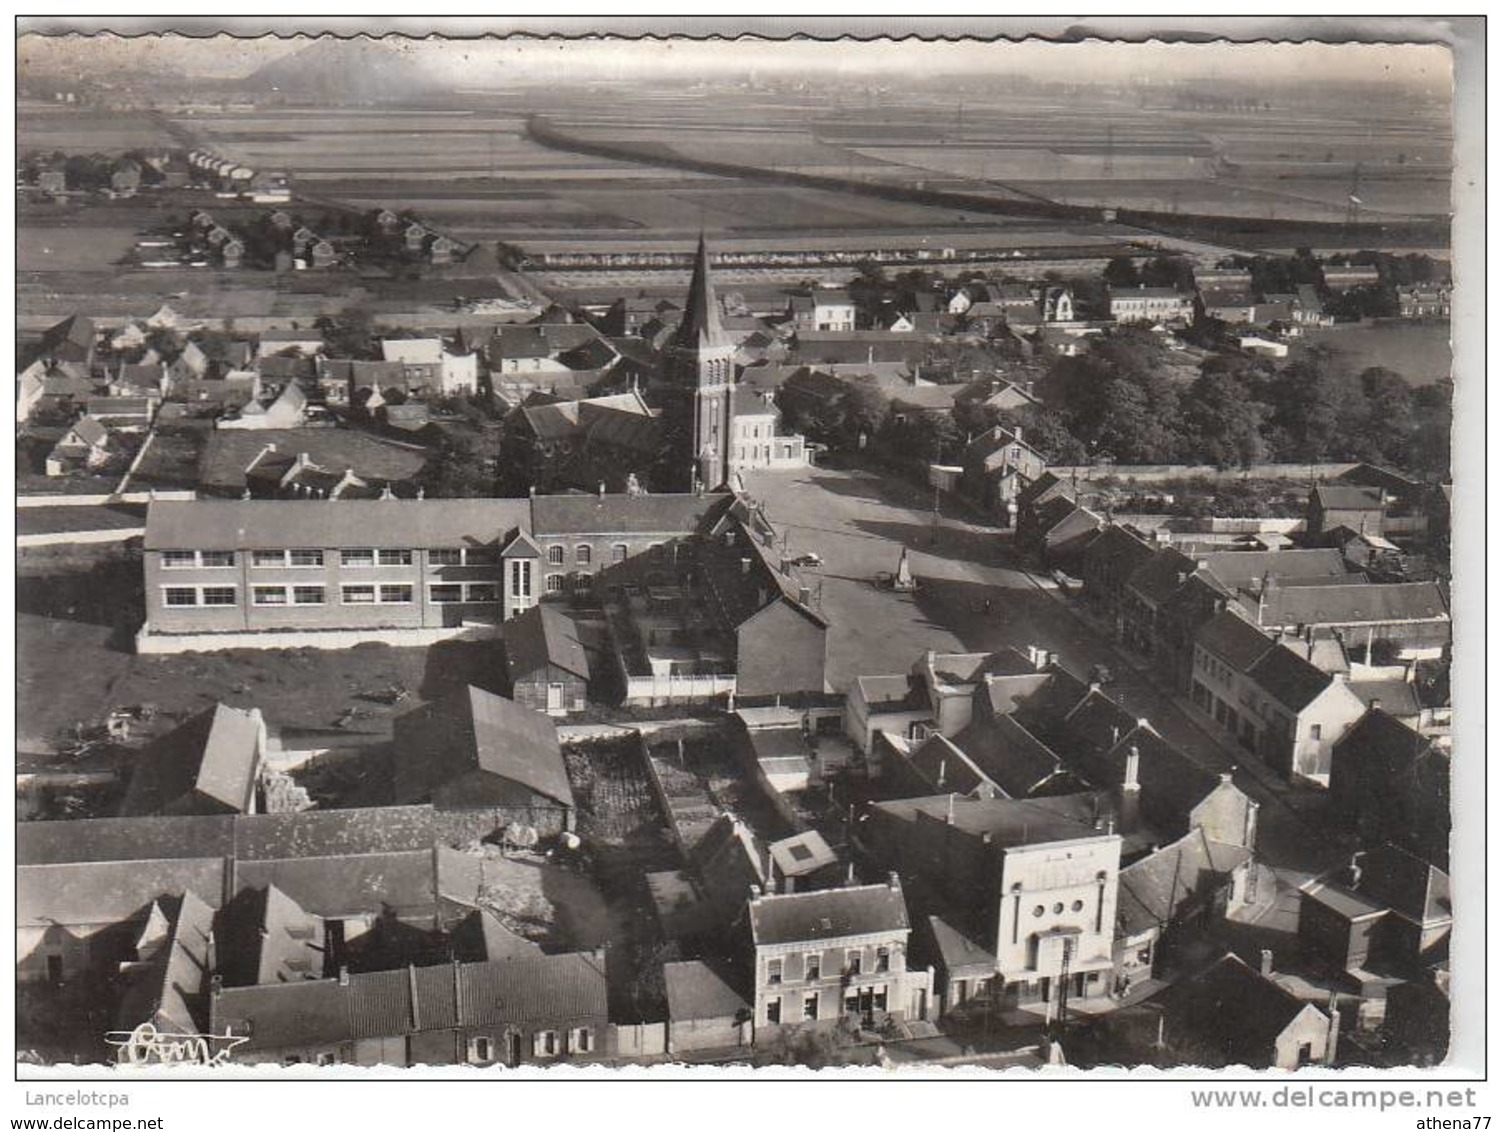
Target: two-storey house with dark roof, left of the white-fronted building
x,y
822,956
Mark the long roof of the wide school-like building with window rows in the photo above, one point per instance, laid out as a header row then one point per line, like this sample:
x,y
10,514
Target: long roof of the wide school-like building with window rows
x,y
249,525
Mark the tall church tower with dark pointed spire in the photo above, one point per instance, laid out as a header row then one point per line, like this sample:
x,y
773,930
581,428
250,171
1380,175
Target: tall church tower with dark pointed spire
x,y
701,361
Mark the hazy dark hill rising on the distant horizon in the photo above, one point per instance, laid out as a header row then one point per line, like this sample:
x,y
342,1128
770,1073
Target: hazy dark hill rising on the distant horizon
x,y
342,73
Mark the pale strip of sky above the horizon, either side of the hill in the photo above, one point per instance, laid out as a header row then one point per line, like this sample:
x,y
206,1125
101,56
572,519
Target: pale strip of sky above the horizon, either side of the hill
x,y
480,64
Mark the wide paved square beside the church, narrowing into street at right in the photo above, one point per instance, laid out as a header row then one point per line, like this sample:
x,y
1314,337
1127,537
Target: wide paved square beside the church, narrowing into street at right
x,y
858,523
